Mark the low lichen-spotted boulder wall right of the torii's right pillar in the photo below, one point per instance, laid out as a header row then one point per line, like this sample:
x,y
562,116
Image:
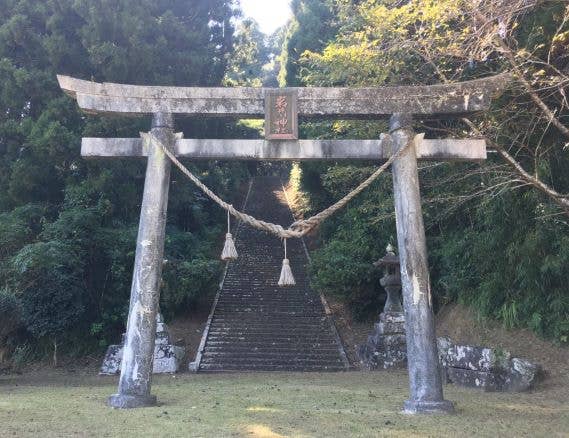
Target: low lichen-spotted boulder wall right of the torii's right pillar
x,y
486,368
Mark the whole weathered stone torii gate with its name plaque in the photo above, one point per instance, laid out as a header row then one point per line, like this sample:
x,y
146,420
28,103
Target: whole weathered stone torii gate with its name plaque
x,y
282,108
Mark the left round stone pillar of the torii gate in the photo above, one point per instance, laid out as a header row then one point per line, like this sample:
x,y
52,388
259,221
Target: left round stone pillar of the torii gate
x,y
136,367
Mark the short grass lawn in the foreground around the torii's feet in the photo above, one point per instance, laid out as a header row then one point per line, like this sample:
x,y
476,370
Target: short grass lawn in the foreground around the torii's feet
x,y
352,404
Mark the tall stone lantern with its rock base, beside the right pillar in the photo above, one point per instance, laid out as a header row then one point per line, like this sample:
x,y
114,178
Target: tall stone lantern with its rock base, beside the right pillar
x,y
386,346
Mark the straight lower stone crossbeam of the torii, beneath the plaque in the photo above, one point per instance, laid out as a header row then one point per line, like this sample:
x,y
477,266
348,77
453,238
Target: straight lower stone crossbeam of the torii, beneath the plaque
x,y
301,150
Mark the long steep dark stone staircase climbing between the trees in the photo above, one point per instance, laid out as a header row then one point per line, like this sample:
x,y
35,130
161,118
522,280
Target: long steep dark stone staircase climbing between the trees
x,y
256,325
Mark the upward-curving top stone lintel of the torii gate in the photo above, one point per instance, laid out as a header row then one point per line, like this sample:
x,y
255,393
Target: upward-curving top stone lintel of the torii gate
x,y
364,103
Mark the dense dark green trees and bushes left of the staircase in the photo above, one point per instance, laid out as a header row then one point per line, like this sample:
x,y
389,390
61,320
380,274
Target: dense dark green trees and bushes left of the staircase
x,y
68,226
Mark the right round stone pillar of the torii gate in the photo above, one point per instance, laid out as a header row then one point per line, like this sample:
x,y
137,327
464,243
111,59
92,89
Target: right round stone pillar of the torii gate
x,y
426,390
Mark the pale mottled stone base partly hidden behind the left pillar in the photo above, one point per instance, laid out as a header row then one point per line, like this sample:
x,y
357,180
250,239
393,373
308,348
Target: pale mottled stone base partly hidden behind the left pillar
x,y
167,357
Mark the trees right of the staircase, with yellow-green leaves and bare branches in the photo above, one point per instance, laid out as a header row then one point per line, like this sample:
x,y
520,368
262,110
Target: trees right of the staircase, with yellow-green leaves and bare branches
x,y
497,236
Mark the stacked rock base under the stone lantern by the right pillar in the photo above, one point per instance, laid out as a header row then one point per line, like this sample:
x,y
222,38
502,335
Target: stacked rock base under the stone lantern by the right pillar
x,y
386,346
